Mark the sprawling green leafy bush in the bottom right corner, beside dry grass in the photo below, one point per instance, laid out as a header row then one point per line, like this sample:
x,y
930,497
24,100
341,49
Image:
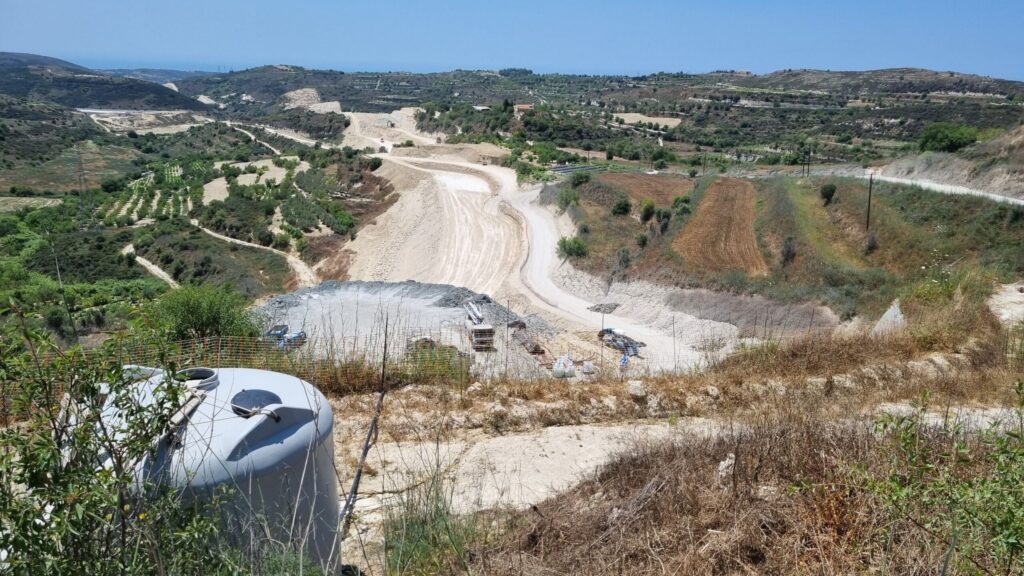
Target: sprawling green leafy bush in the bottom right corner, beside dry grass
x,y
961,487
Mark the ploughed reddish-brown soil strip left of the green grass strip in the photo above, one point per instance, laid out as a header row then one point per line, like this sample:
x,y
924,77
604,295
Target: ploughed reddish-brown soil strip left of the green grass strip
x,y
720,237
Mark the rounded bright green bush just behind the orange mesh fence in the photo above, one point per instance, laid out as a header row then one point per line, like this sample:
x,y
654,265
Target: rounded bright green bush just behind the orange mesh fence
x,y
198,312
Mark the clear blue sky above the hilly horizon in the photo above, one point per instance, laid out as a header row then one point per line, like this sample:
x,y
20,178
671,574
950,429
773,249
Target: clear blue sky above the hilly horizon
x,y
592,37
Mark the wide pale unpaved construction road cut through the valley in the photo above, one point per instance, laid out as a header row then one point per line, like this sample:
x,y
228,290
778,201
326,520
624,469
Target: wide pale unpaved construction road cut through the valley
x,y
473,225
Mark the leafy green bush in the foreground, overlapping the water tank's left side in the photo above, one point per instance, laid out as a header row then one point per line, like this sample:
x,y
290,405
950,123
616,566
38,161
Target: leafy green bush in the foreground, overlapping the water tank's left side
x,y
69,502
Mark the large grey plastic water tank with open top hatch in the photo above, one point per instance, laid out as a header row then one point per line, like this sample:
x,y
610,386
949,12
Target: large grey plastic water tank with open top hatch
x,y
266,436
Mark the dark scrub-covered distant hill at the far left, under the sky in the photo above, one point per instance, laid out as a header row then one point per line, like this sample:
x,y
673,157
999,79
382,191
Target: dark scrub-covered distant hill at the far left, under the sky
x,y
44,78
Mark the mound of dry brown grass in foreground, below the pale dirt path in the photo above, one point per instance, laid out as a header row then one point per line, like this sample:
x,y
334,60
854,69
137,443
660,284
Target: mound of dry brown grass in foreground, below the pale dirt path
x,y
797,500
